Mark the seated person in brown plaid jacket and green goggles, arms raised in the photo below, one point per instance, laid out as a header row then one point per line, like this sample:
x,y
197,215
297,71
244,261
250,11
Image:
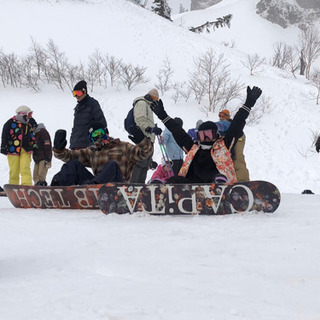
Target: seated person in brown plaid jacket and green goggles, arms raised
x,y
111,160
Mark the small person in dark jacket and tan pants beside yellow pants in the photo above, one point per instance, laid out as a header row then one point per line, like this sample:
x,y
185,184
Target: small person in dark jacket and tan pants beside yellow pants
x,y
42,155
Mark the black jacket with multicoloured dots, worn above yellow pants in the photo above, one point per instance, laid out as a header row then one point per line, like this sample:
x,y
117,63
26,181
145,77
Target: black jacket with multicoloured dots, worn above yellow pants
x,y
17,135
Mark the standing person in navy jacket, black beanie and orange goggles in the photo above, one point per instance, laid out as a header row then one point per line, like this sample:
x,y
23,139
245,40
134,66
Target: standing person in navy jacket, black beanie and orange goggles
x,y
86,111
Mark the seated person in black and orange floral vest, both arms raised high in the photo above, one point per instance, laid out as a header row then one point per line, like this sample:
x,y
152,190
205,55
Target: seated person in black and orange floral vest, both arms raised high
x,y
210,155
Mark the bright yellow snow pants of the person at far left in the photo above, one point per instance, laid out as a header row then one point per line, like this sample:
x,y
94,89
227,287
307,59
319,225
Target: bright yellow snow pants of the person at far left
x,y
19,165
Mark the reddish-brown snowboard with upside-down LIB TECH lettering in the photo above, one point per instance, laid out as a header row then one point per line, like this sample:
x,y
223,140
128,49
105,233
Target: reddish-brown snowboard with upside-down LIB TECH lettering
x,y
73,197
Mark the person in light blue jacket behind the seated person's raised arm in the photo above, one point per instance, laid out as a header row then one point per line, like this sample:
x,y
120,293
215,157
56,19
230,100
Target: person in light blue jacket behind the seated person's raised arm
x,y
175,153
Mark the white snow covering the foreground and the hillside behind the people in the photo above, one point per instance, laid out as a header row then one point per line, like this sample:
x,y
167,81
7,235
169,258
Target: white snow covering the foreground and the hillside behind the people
x,y
85,265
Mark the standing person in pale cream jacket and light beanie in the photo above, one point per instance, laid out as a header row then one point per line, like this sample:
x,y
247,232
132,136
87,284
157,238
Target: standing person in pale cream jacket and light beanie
x,y
143,117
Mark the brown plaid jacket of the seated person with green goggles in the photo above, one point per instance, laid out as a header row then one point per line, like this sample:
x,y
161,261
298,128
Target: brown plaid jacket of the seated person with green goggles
x,y
124,153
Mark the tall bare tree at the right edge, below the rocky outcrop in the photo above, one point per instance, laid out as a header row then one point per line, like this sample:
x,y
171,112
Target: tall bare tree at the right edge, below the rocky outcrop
x,y
309,45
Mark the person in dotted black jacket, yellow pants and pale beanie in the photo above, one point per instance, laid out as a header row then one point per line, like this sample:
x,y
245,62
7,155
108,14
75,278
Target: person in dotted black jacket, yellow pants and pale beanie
x,y
18,143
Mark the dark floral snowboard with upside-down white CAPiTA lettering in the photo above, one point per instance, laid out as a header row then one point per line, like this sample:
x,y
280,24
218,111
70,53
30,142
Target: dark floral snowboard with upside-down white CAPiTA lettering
x,y
189,199
